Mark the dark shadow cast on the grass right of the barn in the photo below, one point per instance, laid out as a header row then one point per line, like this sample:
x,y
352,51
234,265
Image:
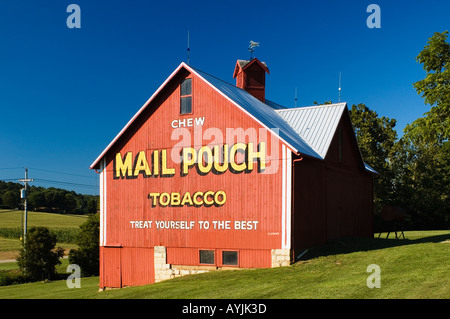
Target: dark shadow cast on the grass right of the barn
x,y
350,245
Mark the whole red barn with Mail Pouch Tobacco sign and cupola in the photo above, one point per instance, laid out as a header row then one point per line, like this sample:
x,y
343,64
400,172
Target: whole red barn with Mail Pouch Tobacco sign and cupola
x,y
208,175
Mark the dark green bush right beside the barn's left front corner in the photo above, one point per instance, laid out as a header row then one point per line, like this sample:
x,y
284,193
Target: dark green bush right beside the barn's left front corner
x,y
87,256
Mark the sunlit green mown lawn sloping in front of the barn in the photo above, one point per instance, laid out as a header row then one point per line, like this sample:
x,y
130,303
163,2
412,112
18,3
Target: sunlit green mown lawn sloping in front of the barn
x,y
415,268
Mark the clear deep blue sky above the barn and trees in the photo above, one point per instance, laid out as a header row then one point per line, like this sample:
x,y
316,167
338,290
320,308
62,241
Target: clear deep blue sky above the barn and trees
x,y
66,93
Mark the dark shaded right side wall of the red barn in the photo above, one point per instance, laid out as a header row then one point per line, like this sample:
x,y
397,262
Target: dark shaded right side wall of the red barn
x,y
332,198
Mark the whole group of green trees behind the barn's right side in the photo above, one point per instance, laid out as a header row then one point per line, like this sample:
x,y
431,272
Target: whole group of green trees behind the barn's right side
x,y
414,170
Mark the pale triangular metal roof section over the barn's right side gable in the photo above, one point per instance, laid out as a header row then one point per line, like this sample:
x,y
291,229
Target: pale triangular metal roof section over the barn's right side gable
x,y
316,125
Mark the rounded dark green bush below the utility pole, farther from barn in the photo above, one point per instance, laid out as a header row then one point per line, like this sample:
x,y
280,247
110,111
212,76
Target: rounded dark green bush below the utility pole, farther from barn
x,y
38,258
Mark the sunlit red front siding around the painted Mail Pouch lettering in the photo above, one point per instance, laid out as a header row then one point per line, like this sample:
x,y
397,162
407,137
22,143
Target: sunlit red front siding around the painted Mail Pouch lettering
x,y
251,196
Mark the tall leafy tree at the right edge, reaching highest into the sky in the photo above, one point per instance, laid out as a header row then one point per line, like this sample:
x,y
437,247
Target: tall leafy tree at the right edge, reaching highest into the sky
x,y
423,157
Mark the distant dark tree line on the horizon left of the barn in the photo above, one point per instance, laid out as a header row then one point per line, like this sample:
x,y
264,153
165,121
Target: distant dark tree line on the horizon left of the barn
x,y
47,199
